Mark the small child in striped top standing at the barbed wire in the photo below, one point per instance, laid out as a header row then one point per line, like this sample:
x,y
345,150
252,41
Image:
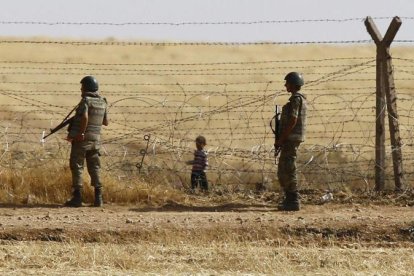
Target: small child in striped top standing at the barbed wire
x,y
200,162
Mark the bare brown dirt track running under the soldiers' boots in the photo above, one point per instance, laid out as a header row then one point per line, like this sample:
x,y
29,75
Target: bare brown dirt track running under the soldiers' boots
x,y
349,223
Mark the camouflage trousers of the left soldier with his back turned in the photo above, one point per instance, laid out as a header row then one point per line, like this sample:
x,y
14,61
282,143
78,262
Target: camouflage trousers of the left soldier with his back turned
x,y
80,151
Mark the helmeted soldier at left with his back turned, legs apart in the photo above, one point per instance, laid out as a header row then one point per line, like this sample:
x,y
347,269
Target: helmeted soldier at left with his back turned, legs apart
x,y
84,134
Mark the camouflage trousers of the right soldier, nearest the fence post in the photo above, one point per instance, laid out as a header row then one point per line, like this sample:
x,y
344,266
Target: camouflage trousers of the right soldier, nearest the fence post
x,y
286,170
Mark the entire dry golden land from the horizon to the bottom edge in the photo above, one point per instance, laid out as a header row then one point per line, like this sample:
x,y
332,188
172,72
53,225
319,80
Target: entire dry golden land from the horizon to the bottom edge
x,y
150,224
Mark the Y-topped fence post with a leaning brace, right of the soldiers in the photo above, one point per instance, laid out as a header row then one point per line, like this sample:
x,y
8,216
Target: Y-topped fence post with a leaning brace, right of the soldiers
x,y
385,86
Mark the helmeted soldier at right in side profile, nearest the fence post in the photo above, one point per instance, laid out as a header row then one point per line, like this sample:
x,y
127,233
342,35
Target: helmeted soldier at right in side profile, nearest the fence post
x,y
292,133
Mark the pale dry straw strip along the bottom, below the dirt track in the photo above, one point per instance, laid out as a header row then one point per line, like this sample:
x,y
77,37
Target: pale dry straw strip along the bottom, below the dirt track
x,y
227,258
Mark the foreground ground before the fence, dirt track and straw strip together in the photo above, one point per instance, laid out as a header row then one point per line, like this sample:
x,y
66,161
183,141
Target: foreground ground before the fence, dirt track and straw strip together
x,y
205,238
